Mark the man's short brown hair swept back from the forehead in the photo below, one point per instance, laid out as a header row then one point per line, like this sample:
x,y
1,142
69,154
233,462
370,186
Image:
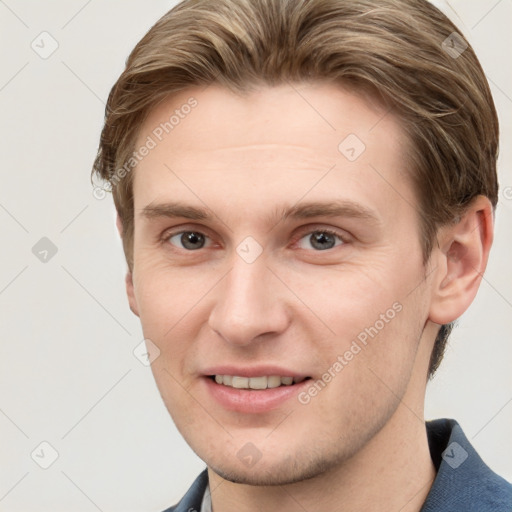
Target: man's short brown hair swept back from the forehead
x,y
406,51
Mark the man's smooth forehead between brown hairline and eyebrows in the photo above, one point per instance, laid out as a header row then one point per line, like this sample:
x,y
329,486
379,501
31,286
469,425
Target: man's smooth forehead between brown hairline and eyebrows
x,y
272,145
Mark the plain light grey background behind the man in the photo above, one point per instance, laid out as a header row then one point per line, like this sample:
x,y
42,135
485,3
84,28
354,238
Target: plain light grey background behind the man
x,y
67,372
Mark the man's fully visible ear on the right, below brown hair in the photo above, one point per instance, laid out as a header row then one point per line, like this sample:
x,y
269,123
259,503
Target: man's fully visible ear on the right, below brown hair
x,y
460,261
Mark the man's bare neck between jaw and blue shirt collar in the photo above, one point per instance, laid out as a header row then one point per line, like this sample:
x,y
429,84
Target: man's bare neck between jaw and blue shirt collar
x,y
393,471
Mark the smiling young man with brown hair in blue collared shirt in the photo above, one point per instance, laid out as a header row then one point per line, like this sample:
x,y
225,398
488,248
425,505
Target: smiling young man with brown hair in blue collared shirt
x,y
305,192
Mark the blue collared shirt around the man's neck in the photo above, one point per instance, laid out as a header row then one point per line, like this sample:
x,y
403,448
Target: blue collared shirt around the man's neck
x,y
464,483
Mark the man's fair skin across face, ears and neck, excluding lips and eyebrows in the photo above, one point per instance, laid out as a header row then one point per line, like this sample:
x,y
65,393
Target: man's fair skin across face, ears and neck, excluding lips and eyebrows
x,y
360,443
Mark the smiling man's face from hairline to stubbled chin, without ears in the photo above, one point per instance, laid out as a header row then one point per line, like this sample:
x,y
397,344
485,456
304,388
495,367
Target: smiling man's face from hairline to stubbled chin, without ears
x,y
333,292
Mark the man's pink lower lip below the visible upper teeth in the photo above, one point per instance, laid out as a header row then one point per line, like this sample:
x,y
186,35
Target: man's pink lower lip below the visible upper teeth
x,y
252,401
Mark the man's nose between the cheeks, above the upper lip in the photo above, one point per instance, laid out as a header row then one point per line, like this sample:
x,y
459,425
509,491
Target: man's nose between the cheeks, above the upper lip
x,y
249,303
